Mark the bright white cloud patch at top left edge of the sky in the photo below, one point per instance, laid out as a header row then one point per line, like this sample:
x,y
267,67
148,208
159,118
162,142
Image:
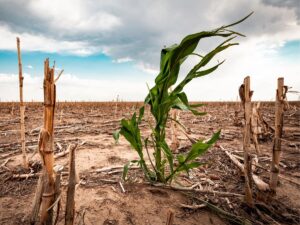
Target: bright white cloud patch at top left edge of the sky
x,y
73,16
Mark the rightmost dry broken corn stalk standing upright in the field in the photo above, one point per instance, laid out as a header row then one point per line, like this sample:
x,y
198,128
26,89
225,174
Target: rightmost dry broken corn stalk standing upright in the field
x,y
279,108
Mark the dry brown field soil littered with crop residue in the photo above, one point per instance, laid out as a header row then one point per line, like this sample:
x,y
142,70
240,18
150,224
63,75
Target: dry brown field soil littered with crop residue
x,y
99,195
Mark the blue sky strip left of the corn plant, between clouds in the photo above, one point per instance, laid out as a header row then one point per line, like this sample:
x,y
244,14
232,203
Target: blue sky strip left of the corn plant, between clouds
x,y
98,66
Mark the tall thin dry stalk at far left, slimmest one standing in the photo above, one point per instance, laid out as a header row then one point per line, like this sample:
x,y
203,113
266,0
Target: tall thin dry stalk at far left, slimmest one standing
x,y
22,107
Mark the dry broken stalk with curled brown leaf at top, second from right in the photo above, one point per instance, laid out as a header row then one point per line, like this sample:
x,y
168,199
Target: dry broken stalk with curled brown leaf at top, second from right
x,y
246,94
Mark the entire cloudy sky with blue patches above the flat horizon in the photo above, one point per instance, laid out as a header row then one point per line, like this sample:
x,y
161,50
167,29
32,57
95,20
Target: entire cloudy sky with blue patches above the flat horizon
x,y
111,49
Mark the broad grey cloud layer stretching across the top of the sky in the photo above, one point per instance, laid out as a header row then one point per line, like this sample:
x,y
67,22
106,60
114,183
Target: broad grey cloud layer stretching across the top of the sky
x,y
138,32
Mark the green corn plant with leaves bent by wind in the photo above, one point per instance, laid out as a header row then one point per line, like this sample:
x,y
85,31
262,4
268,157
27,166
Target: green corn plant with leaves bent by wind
x,y
161,101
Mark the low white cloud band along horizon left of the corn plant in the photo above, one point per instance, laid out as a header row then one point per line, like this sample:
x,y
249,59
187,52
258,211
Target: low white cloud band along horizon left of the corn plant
x,y
72,88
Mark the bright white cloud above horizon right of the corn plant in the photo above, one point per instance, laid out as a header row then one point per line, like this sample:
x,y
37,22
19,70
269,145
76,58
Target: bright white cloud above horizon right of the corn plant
x,y
247,59
